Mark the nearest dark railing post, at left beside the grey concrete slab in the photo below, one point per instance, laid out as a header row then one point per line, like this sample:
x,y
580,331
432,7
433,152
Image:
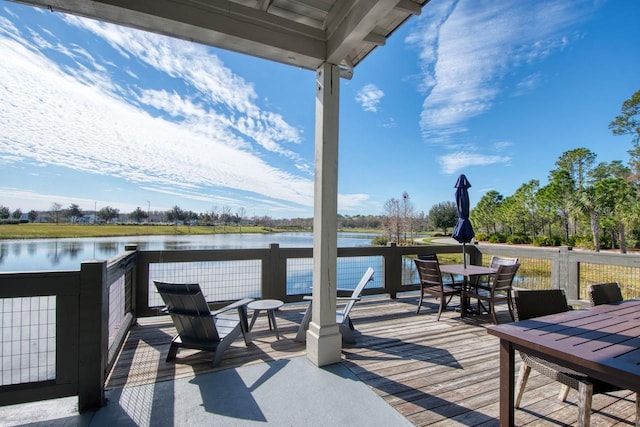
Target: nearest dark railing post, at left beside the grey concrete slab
x,y
93,334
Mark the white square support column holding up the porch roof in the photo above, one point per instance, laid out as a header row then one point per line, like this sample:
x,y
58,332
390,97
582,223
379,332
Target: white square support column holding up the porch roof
x,y
324,341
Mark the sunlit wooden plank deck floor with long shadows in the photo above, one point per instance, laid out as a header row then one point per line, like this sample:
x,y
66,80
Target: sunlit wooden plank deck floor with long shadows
x,y
433,373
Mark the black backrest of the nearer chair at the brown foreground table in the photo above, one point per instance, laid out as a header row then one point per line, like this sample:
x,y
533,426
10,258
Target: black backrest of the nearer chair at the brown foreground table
x,y
536,303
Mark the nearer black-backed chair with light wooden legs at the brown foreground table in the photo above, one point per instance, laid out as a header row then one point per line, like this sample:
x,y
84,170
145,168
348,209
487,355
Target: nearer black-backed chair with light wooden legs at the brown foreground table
x,y
536,303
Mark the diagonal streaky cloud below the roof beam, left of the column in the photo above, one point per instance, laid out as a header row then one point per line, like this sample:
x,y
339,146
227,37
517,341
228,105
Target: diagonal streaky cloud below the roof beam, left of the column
x,y
227,93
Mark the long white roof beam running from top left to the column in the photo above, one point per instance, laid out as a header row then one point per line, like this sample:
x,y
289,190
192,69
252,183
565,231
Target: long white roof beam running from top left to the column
x,y
217,23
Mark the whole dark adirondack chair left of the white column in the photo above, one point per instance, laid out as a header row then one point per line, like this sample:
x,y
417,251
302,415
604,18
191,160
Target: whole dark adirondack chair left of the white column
x,y
198,327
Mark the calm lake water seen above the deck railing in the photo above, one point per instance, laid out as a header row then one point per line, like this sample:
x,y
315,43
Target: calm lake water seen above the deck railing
x,y
67,254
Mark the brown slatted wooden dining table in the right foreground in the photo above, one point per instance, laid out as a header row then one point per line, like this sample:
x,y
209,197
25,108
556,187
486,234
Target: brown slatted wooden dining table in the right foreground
x,y
602,341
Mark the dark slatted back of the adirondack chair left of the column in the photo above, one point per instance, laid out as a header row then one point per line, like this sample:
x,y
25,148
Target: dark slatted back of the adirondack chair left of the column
x,y
189,311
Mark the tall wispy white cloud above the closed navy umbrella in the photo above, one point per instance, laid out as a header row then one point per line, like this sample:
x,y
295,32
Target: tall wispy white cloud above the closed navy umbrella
x,y
466,50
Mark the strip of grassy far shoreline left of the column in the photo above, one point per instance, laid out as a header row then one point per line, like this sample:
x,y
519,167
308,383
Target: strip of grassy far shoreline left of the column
x,y
52,231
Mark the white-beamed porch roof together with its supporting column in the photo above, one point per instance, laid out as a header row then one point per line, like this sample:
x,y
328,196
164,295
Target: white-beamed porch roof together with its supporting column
x,y
328,36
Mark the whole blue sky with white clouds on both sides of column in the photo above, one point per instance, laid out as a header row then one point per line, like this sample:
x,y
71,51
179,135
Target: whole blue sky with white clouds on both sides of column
x,y
96,115
